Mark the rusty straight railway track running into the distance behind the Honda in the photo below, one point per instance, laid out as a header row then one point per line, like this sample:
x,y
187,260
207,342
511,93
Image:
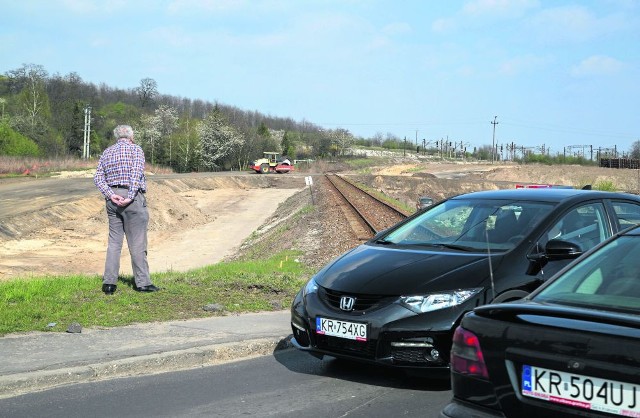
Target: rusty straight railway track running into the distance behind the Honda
x,y
366,213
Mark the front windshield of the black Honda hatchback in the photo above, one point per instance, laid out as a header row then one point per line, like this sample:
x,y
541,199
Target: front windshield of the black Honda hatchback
x,y
472,225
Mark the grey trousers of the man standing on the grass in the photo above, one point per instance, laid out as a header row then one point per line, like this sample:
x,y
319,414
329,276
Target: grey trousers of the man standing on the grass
x,y
130,221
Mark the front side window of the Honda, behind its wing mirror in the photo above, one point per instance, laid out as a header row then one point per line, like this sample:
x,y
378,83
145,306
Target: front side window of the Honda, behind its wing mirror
x,y
584,225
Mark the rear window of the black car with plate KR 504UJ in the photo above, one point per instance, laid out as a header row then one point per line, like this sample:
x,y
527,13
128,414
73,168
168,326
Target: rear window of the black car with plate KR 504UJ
x,y
608,279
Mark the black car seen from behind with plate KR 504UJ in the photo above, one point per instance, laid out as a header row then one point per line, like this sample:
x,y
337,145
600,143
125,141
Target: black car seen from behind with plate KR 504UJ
x,y
571,348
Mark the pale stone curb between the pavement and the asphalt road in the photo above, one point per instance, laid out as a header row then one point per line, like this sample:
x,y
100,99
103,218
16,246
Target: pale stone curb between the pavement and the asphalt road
x,y
21,383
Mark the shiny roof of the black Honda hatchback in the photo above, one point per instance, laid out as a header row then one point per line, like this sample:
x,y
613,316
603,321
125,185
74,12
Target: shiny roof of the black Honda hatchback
x,y
546,194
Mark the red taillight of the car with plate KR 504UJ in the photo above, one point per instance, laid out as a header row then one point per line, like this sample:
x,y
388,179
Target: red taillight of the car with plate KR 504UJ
x,y
466,354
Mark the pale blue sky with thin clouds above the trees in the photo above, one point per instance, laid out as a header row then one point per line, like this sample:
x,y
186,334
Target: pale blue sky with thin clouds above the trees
x,y
558,74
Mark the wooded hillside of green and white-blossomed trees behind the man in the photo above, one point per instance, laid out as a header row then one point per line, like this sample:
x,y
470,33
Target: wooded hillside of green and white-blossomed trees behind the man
x,y
43,115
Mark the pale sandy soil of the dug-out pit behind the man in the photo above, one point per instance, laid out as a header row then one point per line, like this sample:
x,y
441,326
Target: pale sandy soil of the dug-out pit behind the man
x,y
187,230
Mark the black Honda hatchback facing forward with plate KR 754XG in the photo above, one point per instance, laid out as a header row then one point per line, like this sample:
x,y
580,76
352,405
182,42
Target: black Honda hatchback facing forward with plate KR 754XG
x,y
397,298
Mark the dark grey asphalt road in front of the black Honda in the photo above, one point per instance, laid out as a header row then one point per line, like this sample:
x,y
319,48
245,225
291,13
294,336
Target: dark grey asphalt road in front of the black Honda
x,y
287,384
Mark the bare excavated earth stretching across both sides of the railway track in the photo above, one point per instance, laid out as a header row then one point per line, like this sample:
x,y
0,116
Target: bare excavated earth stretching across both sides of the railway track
x,y
202,219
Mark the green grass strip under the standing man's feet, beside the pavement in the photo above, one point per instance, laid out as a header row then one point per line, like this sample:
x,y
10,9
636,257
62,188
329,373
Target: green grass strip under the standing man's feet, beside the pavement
x,y
36,303
